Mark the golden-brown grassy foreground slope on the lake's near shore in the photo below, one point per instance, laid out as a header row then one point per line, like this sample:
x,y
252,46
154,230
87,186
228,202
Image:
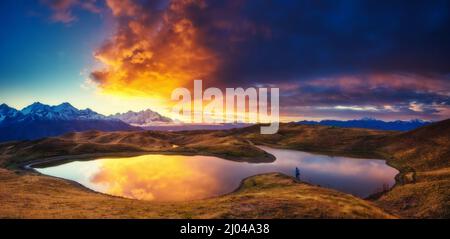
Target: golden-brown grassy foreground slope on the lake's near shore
x,y
263,196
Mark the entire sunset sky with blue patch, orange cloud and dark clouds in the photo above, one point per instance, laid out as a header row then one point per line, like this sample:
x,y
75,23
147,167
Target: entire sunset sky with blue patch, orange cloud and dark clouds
x,y
331,59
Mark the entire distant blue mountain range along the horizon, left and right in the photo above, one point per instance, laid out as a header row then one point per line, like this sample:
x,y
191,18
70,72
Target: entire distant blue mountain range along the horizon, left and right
x,y
40,120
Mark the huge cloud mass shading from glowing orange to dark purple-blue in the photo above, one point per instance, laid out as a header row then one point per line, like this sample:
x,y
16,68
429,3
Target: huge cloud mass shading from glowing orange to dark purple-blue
x,y
335,59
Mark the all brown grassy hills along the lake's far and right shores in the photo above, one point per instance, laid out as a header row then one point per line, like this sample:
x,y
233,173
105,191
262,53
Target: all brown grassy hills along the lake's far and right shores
x,y
418,155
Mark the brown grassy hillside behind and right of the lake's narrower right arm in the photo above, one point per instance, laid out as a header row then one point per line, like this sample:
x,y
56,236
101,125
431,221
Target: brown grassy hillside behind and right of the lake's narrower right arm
x,y
422,156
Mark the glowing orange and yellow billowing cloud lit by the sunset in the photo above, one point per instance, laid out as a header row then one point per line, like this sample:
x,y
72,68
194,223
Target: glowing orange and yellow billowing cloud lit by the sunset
x,y
153,51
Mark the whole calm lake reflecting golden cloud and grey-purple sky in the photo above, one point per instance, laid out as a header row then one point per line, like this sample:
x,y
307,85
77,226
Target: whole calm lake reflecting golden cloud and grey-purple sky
x,y
181,178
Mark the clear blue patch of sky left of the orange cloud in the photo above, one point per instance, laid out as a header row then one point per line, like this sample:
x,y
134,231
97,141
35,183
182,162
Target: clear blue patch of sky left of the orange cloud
x,y
41,59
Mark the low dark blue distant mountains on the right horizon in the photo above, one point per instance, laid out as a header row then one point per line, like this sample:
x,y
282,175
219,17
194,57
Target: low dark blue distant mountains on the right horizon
x,y
370,123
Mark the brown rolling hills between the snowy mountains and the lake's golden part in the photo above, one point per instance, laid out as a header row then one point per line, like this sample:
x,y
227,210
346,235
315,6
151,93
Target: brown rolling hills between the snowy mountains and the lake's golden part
x,y
215,143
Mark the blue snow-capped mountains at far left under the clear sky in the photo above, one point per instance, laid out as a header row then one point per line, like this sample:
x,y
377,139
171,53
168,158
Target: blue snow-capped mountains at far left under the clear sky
x,y
39,120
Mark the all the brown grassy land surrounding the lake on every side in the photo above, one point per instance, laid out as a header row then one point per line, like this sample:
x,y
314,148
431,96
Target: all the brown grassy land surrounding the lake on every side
x,y
420,155
